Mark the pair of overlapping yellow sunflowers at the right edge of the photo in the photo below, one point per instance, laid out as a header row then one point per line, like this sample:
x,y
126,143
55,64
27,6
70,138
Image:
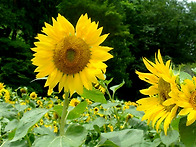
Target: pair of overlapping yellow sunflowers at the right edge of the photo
x,y
165,96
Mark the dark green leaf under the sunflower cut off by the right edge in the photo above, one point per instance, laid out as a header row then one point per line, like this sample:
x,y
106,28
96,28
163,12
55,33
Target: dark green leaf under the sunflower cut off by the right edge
x,y
187,133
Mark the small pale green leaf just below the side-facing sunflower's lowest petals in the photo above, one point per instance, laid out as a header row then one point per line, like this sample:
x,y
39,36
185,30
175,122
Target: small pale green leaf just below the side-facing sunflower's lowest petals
x,y
172,136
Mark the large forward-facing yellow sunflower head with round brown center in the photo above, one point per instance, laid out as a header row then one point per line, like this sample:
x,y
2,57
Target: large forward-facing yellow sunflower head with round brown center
x,y
70,57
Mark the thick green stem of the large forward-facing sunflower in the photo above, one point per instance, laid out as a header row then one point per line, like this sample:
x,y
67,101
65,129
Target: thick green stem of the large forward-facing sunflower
x,y
64,113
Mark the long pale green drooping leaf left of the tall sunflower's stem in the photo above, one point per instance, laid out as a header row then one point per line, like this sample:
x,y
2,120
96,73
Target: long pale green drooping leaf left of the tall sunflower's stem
x,y
27,121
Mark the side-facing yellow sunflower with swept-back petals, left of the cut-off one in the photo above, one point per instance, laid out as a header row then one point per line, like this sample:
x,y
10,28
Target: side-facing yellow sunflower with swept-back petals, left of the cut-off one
x,y
162,81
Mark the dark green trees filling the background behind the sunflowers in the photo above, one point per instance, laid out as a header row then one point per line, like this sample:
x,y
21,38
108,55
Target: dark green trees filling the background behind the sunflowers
x,y
137,28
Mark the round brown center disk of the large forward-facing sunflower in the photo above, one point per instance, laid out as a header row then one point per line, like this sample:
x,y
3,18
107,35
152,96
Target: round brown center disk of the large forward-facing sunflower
x,y
71,55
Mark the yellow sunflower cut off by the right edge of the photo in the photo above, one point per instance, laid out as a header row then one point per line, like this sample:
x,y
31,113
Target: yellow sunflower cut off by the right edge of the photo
x,y
187,100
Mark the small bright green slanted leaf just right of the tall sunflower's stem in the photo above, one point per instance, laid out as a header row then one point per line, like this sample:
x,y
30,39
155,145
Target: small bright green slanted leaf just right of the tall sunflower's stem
x,y
79,109
